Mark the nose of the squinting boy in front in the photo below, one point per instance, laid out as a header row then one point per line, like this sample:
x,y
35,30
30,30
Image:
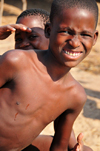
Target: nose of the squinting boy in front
x,y
74,42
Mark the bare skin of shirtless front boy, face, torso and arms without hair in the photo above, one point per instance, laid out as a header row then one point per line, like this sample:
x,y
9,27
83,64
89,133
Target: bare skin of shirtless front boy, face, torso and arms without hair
x,y
36,86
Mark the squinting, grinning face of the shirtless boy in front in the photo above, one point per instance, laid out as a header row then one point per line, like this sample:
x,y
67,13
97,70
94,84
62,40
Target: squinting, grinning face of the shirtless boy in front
x,y
72,36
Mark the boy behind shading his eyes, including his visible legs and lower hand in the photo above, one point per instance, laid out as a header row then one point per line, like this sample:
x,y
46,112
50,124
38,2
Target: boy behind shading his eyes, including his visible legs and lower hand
x,y
29,35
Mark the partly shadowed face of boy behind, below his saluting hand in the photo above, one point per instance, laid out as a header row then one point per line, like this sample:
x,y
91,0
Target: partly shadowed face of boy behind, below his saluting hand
x,y
34,40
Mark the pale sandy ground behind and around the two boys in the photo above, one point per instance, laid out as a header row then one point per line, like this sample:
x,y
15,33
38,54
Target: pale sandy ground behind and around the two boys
x,y
88,74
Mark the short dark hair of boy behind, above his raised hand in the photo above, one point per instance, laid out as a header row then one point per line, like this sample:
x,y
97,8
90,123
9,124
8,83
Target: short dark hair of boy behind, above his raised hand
x,y
45,16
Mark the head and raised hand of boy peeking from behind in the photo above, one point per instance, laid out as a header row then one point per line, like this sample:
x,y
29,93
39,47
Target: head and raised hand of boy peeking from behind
x,y
29,30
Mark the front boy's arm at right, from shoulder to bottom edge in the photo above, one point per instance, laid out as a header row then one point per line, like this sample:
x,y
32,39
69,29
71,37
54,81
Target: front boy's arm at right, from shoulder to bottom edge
x,y
65,122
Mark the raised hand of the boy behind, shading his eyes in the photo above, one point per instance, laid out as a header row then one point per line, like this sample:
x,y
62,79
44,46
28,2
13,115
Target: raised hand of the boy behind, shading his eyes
x,y
7,30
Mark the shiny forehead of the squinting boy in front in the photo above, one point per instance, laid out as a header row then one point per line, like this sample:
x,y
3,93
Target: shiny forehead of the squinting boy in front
x,y
75,14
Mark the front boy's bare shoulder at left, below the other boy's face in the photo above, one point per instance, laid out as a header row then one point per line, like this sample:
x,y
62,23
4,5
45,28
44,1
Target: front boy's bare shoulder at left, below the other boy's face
x,y
12,63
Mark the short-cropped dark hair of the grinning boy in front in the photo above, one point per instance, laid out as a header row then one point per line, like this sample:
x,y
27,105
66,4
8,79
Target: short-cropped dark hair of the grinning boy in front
x,y
59,5
